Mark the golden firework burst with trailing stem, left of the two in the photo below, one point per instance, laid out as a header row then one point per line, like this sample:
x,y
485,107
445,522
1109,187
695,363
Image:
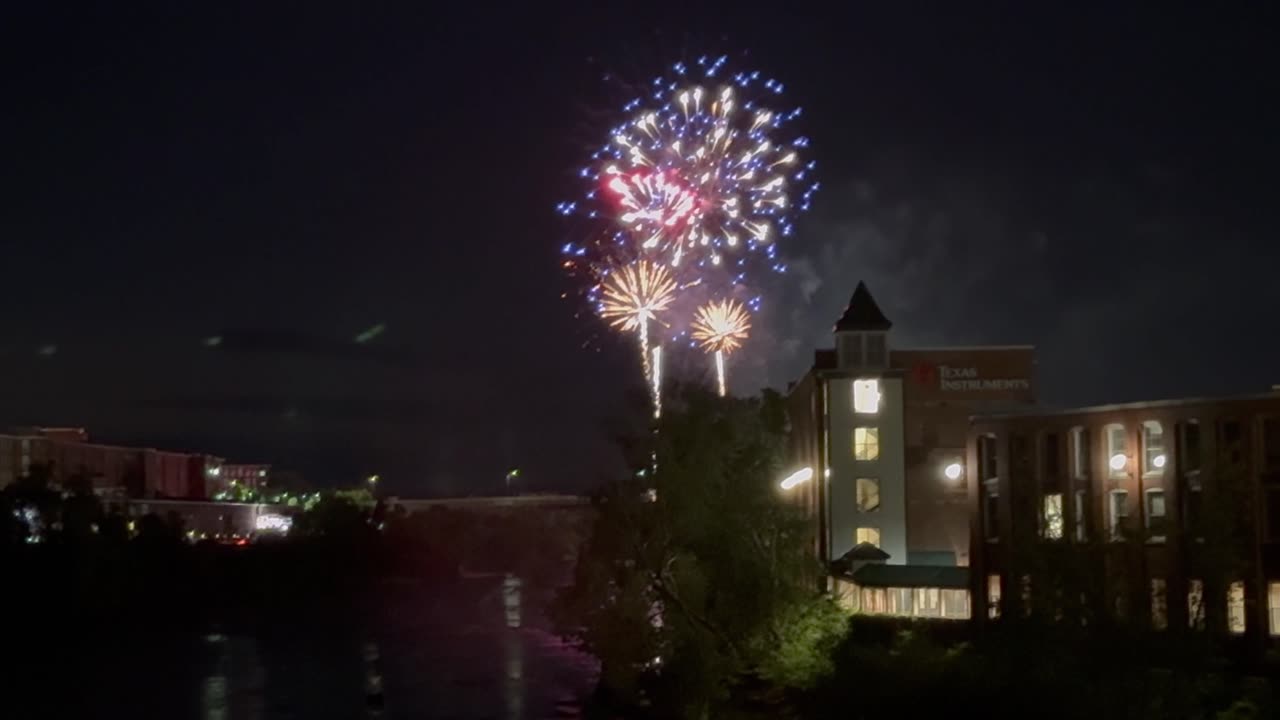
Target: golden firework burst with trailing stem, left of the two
x,y
632,297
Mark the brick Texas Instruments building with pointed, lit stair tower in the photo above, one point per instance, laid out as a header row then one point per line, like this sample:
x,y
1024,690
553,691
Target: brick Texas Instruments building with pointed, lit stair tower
x,y
884,430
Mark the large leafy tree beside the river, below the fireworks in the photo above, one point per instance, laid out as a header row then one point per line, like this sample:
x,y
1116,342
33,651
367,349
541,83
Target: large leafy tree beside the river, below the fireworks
x,y
698,575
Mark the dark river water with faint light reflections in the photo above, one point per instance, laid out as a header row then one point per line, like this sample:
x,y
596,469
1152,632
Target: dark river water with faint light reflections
x,y
477,653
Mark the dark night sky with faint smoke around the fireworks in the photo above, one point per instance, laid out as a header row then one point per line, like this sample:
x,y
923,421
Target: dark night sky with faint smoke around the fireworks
x,y
204,212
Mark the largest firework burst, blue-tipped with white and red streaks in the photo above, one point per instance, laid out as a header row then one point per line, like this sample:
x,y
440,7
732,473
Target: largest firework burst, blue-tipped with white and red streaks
x,y
701,174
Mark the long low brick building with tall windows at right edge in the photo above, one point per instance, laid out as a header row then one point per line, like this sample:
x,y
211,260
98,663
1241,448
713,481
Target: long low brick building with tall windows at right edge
x,y
1163,513
